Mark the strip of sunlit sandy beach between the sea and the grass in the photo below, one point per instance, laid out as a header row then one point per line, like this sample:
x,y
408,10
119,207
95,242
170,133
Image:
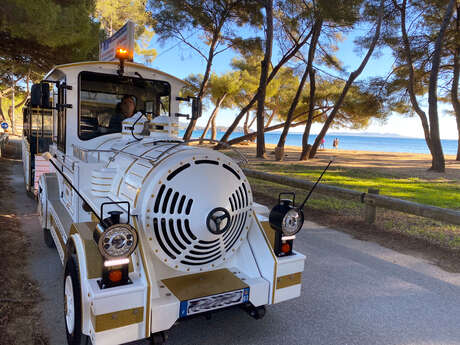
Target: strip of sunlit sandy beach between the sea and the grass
x,y
392,163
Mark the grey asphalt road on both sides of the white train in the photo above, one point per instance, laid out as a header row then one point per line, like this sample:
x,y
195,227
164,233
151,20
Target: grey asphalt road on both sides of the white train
x,y
353,293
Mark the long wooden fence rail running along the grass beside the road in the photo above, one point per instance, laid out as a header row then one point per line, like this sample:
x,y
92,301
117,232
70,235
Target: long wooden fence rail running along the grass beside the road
x,y
370,199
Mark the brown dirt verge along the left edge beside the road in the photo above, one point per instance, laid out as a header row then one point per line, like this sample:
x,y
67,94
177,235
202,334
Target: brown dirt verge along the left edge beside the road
x,y
20,322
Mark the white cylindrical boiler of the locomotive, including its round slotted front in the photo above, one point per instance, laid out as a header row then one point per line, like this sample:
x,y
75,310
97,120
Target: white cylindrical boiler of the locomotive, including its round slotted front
x,y
194,204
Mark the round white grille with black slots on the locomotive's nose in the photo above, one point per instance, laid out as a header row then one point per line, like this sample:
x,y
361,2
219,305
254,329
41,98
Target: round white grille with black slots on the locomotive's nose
x,y
177,212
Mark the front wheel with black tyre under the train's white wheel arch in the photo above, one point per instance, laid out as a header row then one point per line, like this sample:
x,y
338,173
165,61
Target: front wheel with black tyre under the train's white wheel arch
x,y
72,304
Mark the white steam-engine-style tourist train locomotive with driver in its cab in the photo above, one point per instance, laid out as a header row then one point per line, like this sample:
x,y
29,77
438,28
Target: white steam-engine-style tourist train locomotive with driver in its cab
x,y
150,229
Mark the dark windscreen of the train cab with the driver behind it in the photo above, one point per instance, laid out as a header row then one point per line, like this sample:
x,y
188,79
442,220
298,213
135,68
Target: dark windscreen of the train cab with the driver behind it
x,y
103,99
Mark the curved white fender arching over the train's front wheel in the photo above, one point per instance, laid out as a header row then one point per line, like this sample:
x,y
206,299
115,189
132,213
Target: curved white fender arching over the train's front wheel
x,y
75,244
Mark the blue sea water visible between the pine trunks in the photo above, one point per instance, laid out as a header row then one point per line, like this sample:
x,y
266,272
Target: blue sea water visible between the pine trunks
x,y
355,142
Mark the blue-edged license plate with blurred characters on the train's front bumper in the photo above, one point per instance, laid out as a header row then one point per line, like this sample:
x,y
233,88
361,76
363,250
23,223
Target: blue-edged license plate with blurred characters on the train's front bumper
x,y
204,304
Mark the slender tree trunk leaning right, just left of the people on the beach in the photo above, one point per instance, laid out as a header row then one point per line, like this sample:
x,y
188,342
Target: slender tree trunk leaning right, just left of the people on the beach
x,y
348,84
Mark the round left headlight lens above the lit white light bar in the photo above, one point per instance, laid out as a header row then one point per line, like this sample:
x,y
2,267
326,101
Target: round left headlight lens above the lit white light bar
x,y
117,241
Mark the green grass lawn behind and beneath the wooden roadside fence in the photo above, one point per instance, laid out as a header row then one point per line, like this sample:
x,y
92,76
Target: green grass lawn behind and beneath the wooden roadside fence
x,y
338,213
